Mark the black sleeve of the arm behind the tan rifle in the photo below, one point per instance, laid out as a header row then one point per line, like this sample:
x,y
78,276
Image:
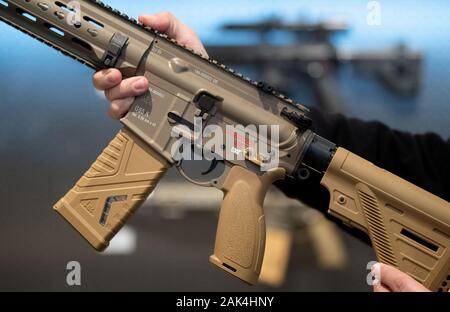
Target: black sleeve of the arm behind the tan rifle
x,y
421,159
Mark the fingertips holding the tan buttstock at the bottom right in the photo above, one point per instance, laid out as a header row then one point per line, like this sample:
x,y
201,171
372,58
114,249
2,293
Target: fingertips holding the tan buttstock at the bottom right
x,y
398,281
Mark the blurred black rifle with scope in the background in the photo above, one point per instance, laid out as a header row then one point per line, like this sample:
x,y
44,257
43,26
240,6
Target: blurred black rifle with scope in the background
x,y
313,58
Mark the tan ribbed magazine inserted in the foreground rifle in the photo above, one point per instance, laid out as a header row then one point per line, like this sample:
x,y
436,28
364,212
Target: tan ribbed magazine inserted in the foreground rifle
x,y
112,189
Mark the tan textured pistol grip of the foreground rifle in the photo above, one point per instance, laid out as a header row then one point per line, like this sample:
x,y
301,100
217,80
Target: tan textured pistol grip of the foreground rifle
x,y
241,232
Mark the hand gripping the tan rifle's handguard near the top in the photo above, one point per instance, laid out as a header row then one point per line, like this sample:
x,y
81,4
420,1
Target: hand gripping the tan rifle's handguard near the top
x,y
122,92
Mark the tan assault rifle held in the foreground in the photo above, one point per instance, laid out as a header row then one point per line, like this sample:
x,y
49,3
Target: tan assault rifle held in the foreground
x,y
409,227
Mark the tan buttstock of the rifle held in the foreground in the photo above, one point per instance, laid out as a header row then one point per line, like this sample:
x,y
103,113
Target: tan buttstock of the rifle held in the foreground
x,y
408,226
